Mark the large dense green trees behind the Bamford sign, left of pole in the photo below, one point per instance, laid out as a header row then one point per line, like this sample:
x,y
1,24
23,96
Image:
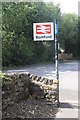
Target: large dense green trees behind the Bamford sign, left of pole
x,y
18,45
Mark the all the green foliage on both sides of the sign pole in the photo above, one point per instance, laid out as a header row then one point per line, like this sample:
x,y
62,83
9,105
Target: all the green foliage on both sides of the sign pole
x,y
18,47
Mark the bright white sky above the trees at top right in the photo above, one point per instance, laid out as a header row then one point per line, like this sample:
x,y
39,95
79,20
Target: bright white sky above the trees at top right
x,y
67,6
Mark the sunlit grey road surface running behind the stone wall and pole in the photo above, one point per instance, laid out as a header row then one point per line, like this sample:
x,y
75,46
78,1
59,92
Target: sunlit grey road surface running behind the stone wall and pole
x,y
68,81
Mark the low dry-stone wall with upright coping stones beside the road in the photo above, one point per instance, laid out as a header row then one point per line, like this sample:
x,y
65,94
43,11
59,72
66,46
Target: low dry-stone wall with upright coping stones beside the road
x,y
21,86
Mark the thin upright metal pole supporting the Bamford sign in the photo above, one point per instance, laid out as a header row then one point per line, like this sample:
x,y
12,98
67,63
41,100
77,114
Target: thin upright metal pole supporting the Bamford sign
x,y
56,49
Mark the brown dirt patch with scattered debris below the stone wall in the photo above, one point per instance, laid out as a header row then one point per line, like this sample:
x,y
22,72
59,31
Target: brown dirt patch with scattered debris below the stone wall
x,y
30,109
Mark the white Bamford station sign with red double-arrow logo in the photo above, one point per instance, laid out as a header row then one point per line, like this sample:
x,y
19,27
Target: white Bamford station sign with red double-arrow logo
x,y
43,31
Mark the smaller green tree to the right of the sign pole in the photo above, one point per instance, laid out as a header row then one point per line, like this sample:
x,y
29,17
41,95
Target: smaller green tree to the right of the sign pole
x,y
69,33
